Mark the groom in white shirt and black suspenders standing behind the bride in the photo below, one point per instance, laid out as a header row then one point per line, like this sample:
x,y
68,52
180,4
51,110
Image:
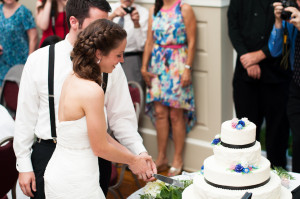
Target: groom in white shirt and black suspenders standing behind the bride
x,y
32,117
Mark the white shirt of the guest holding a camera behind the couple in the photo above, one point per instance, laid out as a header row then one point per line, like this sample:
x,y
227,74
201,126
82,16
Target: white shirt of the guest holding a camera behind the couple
x,y
136,37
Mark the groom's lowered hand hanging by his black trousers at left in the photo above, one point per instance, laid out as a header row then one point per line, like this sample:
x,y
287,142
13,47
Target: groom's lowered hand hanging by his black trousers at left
x,y
27,183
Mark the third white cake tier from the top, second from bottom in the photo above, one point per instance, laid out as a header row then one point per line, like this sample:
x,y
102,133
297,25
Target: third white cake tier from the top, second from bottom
x,y
223,176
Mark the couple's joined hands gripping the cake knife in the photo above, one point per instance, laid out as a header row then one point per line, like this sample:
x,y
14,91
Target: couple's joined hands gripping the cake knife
x,y
140,166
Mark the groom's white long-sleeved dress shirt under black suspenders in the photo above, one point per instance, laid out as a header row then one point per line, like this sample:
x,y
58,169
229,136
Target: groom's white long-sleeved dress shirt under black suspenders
x,y
33,106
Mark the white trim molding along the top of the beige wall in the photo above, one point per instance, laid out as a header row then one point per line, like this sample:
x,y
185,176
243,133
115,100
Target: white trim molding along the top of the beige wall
x,y
204,3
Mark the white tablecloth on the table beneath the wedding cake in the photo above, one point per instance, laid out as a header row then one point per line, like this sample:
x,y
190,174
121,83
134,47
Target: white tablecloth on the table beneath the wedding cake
x,y
293,183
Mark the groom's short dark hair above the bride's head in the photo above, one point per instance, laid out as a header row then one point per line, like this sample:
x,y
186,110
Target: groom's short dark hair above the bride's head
x,y
80,9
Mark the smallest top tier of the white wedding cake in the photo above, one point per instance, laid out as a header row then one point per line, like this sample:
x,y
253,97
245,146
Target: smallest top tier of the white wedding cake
x,y
233,136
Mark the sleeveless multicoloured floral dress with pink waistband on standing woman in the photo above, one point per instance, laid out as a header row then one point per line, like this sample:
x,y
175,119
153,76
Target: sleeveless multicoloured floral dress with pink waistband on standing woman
x,y
168,59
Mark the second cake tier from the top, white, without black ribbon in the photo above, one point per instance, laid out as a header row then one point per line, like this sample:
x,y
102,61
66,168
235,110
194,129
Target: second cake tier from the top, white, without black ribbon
x,y
227,156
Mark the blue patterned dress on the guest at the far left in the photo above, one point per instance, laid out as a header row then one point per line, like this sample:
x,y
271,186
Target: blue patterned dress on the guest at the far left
x,y
14,38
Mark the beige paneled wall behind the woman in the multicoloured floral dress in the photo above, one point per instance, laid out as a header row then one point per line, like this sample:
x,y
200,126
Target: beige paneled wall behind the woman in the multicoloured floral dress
x,y
212,75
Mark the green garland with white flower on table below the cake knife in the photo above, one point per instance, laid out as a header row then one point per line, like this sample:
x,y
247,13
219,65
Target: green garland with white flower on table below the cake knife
x,y
161,190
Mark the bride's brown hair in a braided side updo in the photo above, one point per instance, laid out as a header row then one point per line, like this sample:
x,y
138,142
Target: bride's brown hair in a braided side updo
x,y
102,34
